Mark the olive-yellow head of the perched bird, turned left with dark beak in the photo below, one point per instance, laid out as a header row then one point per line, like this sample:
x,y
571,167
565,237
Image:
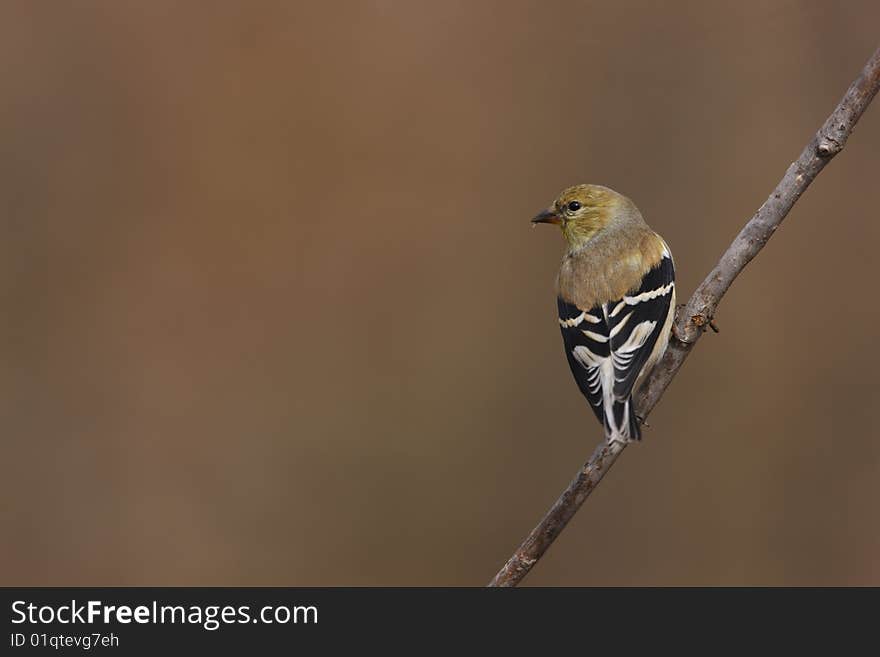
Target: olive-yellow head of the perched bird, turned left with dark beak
x,y
582,212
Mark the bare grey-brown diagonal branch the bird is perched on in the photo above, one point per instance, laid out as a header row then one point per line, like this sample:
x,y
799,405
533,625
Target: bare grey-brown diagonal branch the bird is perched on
x,y
697,314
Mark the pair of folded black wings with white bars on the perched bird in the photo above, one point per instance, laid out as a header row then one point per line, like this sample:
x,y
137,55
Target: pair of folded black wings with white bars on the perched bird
x,y
609,345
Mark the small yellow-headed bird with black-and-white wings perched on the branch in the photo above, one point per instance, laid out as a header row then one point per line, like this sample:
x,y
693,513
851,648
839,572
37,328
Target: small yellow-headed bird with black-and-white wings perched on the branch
x,y
616,299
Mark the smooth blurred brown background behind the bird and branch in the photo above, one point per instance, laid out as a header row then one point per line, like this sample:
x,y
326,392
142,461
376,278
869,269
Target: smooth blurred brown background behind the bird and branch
x,y
273,312
